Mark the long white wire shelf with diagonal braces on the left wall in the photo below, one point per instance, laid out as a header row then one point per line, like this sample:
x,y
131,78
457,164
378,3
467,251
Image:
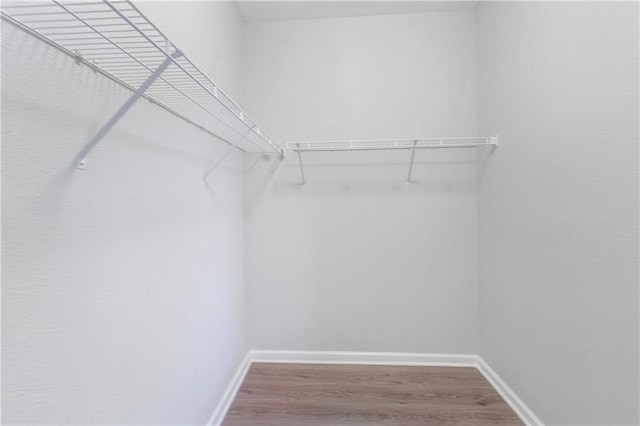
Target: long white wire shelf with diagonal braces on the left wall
x,y
118,41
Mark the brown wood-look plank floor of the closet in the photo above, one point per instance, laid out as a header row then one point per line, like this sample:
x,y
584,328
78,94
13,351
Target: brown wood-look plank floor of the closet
x,y
314,394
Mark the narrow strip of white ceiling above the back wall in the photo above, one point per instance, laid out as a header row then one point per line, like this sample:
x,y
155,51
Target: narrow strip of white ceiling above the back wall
x,y
255,11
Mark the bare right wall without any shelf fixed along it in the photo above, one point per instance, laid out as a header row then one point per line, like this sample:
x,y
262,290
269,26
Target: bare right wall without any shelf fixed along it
x,y
559,206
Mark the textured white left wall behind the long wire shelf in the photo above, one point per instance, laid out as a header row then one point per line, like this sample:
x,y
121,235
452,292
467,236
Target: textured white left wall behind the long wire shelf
x,y
122,285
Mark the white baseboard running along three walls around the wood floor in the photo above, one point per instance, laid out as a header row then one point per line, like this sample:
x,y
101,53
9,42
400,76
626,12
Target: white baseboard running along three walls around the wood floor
x,y
372,358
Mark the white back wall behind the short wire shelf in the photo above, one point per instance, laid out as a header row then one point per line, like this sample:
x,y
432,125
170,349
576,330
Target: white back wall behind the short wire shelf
x,y
358,260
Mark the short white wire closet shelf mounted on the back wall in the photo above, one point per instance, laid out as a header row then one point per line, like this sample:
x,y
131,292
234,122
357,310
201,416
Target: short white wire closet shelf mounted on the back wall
x,y
411,145
